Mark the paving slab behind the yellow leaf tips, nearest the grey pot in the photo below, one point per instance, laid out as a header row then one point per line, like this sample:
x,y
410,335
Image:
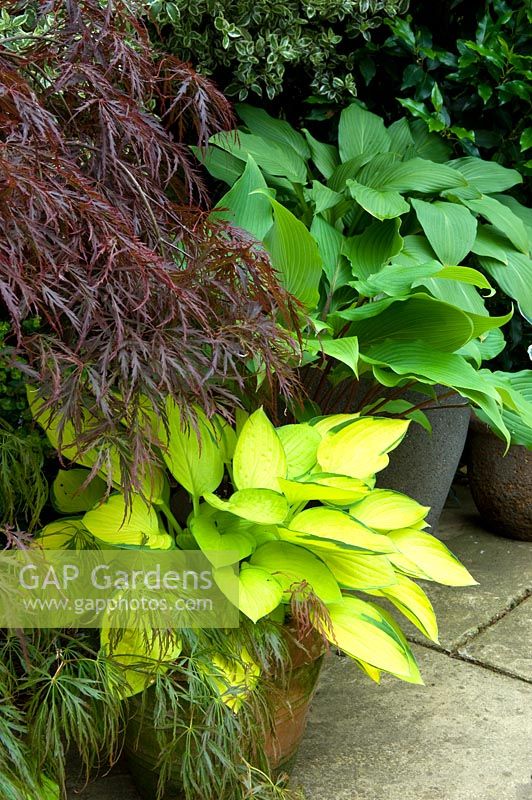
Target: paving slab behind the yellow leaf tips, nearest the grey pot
x,y
503,569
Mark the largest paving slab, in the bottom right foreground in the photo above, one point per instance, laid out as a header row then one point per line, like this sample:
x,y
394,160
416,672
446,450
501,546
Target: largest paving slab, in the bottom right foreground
x,y
465,735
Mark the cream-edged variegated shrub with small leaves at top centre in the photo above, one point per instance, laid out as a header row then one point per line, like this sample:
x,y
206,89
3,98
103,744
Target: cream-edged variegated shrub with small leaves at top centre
x,y
264,47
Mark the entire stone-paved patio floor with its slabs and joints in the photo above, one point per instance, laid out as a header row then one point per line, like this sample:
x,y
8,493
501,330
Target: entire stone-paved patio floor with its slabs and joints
x,y
466,734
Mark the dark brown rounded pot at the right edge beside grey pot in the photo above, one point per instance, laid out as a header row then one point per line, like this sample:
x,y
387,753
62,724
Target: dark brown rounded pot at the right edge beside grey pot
x,y
501,485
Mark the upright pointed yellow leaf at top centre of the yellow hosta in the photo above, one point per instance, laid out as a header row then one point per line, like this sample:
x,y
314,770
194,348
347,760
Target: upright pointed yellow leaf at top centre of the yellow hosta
x,y
259,458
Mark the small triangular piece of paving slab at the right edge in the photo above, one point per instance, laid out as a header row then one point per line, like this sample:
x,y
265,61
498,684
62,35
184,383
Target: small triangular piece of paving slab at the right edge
x,y
507,644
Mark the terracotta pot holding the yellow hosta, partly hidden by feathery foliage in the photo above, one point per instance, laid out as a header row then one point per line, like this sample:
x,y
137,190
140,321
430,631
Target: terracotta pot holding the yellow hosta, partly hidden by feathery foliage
x,y
290,705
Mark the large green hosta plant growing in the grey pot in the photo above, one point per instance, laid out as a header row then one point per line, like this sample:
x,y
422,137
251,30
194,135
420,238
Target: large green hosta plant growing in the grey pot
x,y
390,246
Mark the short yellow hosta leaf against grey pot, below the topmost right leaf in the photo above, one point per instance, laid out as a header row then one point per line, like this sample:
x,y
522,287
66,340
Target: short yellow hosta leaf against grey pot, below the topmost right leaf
x,y
385,510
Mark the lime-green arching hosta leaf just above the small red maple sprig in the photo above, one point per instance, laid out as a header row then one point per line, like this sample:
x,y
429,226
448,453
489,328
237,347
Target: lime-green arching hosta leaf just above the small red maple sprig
x,y
292,566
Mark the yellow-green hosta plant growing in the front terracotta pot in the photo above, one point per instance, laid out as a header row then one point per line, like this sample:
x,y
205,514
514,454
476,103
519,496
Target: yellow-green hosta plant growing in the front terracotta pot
x,y
298,507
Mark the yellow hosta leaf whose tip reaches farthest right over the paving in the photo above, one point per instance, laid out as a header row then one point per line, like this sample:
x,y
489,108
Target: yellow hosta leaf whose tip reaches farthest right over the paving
x,y
431,556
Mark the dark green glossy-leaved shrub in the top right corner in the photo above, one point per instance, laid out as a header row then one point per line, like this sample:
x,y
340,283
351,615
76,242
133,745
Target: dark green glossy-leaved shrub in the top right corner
x,y
466,71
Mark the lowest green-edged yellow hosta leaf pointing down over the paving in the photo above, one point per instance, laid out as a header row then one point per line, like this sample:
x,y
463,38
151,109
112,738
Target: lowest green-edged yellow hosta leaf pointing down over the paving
x,y
363,631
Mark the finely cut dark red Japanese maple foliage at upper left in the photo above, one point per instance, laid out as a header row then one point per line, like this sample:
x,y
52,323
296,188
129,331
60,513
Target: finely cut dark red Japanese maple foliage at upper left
x,y
140,295
